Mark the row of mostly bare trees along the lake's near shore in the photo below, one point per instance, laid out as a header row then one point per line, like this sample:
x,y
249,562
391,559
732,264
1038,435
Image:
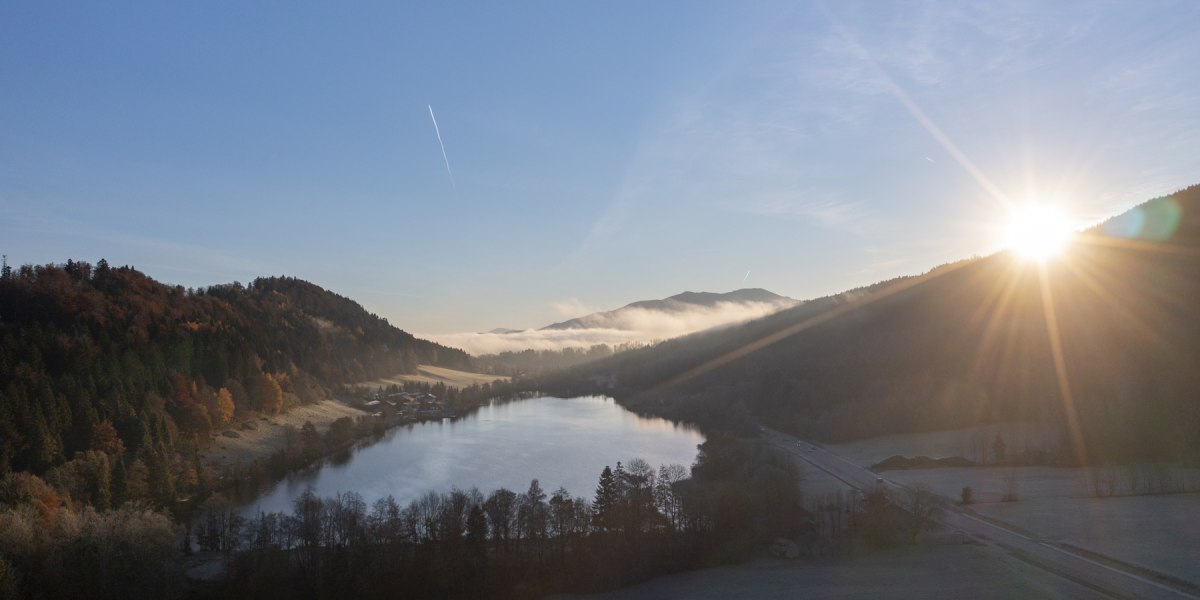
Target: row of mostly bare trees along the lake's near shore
x,y
639,523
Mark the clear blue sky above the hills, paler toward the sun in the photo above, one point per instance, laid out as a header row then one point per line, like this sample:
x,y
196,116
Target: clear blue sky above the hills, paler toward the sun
x,y
603,153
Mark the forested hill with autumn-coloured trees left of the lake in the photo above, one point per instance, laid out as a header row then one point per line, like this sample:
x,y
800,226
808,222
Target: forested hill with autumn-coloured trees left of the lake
x,y
95,358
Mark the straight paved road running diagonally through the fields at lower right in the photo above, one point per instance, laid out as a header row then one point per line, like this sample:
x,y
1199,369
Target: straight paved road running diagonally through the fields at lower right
x,y
1111,580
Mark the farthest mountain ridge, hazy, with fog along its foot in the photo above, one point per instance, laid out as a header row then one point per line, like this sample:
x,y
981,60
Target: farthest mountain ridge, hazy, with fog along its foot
x,y
677,304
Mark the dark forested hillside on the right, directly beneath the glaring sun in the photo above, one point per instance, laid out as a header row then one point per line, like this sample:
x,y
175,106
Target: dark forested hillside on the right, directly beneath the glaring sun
x,y
1103,341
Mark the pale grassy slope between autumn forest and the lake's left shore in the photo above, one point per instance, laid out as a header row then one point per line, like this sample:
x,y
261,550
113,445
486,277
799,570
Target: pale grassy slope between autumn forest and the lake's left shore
x,y
268,437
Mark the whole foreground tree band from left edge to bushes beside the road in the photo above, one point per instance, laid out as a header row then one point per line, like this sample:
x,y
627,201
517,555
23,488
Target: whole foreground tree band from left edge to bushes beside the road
x,y
638,524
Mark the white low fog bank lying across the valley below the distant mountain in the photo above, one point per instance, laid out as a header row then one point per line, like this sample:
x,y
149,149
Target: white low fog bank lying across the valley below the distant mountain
x,y
625,326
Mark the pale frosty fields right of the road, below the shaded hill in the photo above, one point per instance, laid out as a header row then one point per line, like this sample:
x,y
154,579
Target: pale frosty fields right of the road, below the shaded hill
x,y
1060,505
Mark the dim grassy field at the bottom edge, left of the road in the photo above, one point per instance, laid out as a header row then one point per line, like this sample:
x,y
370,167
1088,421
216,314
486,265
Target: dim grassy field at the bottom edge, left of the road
x,y
931,571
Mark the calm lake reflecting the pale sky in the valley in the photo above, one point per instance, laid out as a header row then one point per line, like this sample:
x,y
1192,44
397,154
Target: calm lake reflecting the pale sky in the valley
x,y
561,442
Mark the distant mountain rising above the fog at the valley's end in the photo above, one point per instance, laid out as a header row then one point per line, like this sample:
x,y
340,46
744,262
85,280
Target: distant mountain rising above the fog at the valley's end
x,y
741,302
